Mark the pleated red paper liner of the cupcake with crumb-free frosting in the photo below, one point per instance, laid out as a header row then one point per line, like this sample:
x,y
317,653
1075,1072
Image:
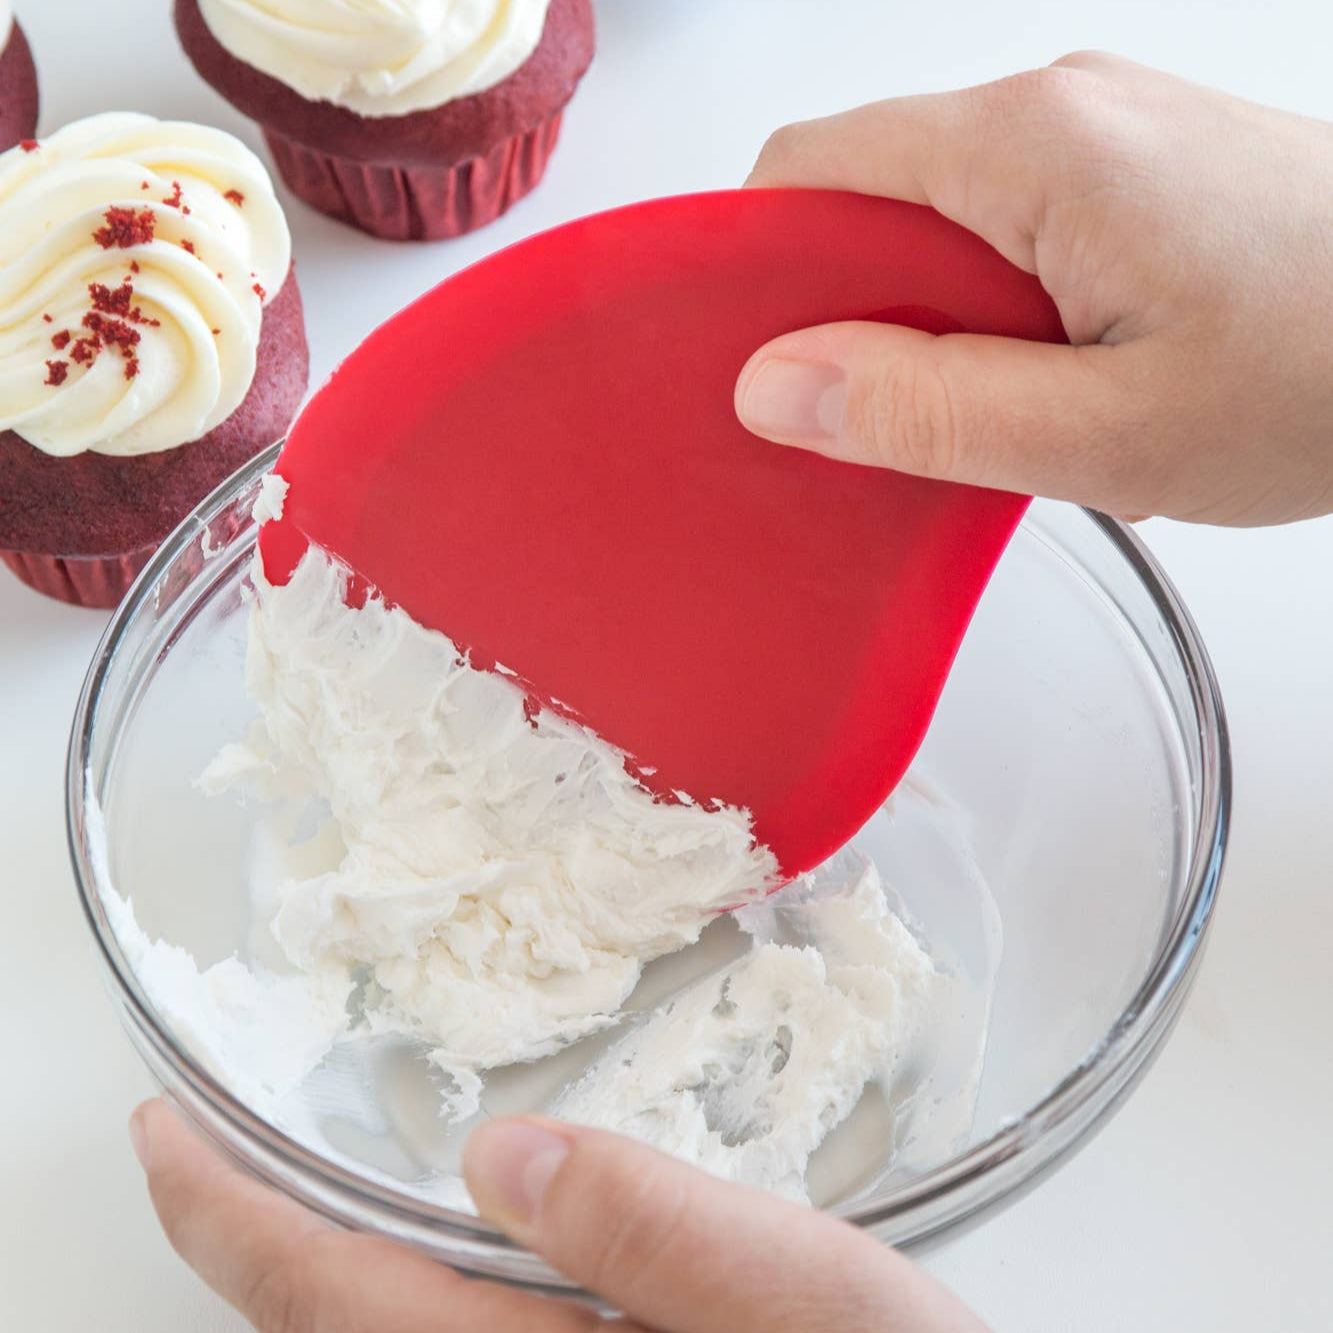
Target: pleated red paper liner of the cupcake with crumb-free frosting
x,y
417,203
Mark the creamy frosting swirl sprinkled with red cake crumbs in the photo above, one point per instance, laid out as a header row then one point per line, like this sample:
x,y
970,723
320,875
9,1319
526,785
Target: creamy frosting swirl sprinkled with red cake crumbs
x,y
137,257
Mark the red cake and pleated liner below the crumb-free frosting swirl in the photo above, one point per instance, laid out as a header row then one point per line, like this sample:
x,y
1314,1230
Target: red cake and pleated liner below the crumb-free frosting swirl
x,y
423,177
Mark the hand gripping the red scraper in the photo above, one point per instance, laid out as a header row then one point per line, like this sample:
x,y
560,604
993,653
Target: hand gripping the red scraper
x,y
1187,239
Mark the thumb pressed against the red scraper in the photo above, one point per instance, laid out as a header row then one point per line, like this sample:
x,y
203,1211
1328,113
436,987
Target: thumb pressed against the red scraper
x,y
1063,422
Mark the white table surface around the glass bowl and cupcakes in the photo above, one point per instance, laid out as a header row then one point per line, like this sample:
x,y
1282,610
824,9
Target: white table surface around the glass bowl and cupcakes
x,y
1206,1203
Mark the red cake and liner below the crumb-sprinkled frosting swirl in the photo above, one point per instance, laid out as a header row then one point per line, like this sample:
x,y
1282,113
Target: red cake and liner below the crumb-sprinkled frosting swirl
x,y
81,529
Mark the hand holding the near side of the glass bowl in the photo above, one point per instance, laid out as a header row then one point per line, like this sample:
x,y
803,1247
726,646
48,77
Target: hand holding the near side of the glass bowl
x,y
668,1246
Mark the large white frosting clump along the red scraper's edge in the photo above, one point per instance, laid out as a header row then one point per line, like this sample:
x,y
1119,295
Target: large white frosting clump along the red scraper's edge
x,y
505,878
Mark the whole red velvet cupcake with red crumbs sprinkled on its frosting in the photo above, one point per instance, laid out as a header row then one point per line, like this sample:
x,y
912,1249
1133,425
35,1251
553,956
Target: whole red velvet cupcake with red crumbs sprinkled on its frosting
x,y
151,342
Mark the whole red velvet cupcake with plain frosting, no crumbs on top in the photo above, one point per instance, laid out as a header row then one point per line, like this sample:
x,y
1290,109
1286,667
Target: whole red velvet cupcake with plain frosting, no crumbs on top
x,y
409,119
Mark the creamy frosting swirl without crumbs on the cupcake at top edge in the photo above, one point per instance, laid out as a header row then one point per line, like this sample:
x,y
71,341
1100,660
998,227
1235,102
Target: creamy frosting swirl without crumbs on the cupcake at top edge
x,y
381,58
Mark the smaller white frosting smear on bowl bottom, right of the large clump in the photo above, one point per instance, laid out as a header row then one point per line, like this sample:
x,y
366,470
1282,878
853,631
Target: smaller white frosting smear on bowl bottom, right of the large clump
x,y
746,1072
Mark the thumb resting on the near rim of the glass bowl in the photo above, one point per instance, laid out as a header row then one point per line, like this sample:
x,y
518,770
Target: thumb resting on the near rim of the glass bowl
x,y
684,1252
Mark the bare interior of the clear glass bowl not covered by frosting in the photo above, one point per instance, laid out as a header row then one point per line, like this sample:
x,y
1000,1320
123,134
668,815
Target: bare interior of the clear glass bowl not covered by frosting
x,y
1067,747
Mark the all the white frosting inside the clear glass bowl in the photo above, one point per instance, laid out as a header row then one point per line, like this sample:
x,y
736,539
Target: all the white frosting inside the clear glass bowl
x,y
489,884
